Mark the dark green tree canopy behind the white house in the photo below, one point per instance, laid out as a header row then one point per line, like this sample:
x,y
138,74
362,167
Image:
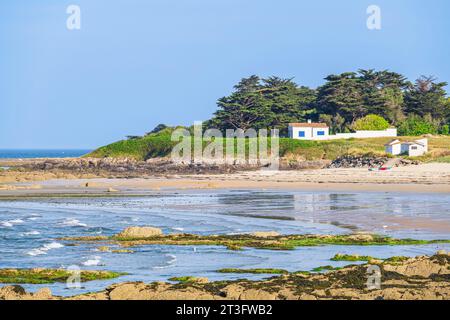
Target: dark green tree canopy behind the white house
x,y
344,98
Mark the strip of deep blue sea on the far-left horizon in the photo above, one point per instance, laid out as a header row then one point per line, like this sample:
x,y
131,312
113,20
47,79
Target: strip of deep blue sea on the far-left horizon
x,y
30,153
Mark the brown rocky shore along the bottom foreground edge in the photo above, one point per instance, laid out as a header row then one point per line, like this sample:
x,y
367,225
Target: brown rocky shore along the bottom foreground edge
x,y
420,278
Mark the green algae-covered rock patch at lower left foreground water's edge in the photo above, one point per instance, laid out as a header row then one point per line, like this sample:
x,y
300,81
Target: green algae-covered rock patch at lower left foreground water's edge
x,y
43,276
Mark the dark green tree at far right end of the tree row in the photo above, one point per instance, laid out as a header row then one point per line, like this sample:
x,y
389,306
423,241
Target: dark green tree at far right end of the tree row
x,y
427,96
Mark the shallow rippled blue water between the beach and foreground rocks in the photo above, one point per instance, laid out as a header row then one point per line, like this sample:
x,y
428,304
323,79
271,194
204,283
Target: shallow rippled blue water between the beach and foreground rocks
x,y
29,230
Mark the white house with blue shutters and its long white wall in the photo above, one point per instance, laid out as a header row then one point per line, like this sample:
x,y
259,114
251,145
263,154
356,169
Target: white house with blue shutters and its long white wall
x,y
320,131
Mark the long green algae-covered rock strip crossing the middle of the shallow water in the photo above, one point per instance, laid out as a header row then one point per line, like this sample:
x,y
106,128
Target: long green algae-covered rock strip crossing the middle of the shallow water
x,y
282,242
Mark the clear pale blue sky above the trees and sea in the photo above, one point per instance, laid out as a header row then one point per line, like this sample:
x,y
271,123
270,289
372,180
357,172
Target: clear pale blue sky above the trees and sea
x,y
136,63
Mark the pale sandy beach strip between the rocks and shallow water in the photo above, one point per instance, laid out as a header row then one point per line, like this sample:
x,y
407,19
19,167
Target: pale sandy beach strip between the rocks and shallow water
x,y
423,178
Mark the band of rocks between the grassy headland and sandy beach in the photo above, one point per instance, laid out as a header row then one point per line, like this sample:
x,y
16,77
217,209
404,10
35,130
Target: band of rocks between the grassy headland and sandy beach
x,y
128,167
